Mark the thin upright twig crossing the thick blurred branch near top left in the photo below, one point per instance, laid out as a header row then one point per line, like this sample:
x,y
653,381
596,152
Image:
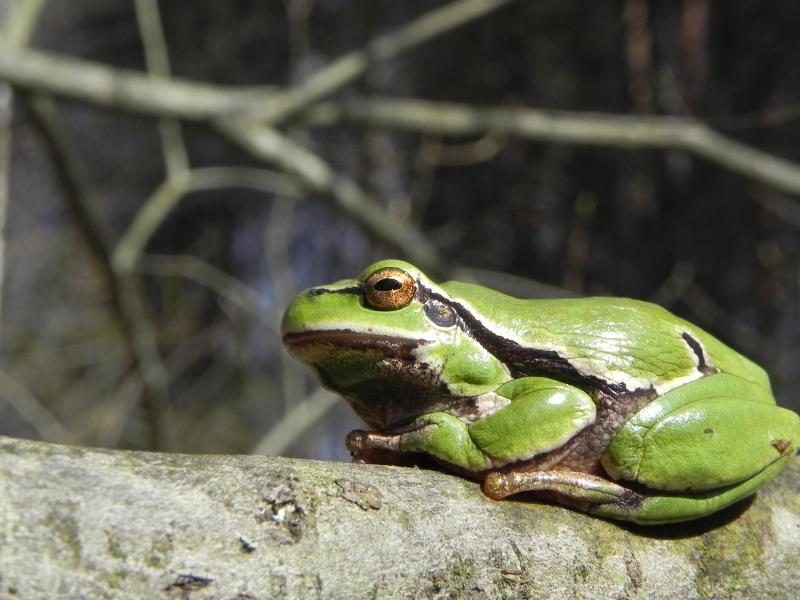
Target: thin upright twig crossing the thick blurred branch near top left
x,y
157,58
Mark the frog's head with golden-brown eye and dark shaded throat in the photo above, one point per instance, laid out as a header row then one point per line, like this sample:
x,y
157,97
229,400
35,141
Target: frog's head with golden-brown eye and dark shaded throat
x,y
390,342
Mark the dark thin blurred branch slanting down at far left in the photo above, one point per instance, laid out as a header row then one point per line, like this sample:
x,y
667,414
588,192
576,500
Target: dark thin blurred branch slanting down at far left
x,y
125,293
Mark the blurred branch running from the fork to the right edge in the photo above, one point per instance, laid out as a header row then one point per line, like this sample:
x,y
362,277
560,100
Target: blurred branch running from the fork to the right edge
x,y
628,132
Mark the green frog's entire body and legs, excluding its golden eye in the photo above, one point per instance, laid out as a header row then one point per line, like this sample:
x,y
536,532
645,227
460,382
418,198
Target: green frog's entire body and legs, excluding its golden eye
x,y
610,405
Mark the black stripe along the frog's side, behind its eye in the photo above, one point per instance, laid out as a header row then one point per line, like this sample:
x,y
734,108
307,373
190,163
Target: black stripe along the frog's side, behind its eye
x,y
522,360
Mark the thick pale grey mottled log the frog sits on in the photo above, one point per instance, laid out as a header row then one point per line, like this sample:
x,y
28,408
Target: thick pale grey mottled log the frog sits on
x,y
89,523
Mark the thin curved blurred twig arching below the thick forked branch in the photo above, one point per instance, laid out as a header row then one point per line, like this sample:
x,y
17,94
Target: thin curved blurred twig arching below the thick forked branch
x,y
172,191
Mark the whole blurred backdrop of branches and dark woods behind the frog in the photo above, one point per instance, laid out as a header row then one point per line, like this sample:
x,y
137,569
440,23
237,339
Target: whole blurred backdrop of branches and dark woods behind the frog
x,y
174,172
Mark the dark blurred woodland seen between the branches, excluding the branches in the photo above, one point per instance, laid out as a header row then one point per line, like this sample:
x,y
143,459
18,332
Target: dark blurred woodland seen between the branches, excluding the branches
x,y
712,245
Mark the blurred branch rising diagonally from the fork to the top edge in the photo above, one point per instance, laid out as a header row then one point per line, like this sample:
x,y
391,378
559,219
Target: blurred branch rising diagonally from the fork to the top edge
x,y
277,107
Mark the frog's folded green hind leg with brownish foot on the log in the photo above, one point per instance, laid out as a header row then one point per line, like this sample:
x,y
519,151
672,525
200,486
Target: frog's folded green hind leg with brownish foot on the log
x,y
689,453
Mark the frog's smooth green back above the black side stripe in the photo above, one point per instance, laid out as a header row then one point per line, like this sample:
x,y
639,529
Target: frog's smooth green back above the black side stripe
x,y
631,341
